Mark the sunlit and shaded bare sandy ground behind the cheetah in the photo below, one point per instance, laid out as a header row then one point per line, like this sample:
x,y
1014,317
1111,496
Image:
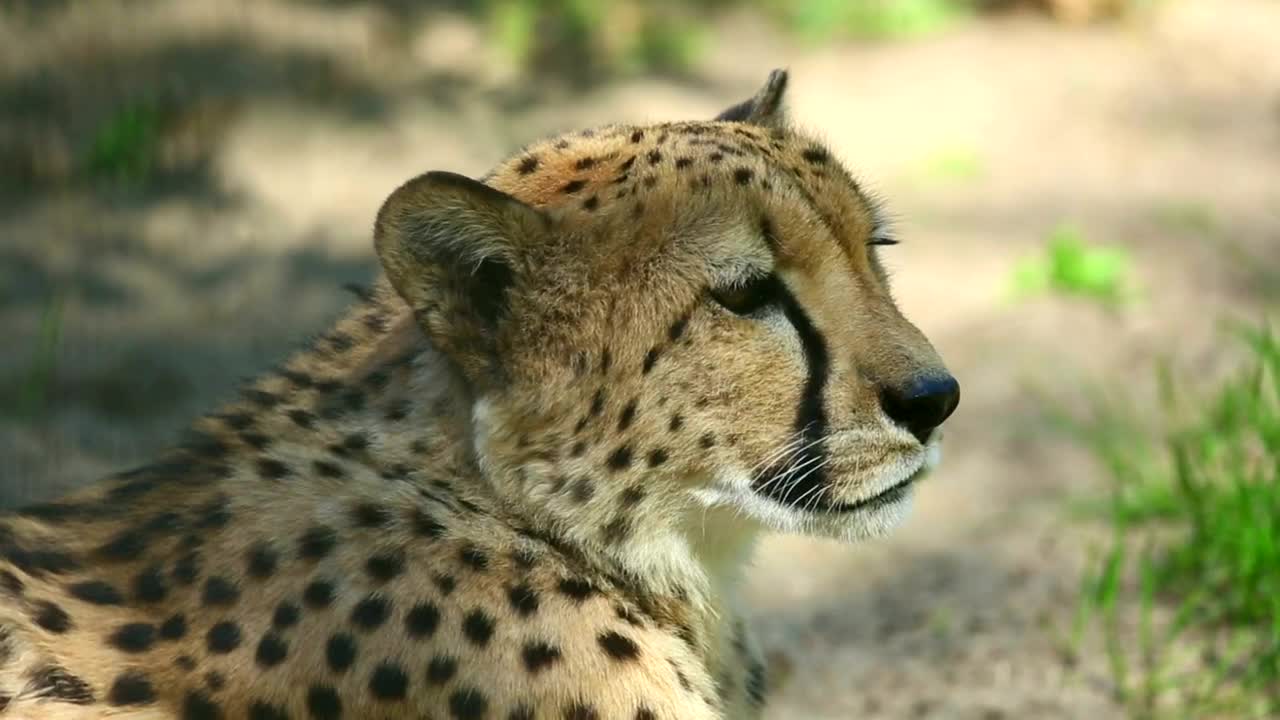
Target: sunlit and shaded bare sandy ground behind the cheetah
x,y
299,119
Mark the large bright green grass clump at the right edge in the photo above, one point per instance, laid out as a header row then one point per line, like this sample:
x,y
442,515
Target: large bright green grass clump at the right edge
x,y
1204,496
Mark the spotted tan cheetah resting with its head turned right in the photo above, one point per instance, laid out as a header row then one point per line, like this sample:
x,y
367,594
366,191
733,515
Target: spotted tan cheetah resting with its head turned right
x,y
523,476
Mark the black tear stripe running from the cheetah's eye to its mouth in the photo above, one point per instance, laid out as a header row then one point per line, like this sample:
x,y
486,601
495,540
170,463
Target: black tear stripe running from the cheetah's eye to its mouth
x,y
810,484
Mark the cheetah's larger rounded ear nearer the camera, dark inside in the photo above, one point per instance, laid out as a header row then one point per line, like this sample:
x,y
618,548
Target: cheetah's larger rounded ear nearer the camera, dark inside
x,y
450,247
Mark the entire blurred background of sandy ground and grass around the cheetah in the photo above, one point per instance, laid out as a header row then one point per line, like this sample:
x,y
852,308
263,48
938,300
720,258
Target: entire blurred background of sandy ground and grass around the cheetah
x,y
1089,194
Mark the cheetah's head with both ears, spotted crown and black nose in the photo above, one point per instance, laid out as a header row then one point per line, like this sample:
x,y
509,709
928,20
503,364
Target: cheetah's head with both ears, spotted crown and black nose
x,y
665,318
